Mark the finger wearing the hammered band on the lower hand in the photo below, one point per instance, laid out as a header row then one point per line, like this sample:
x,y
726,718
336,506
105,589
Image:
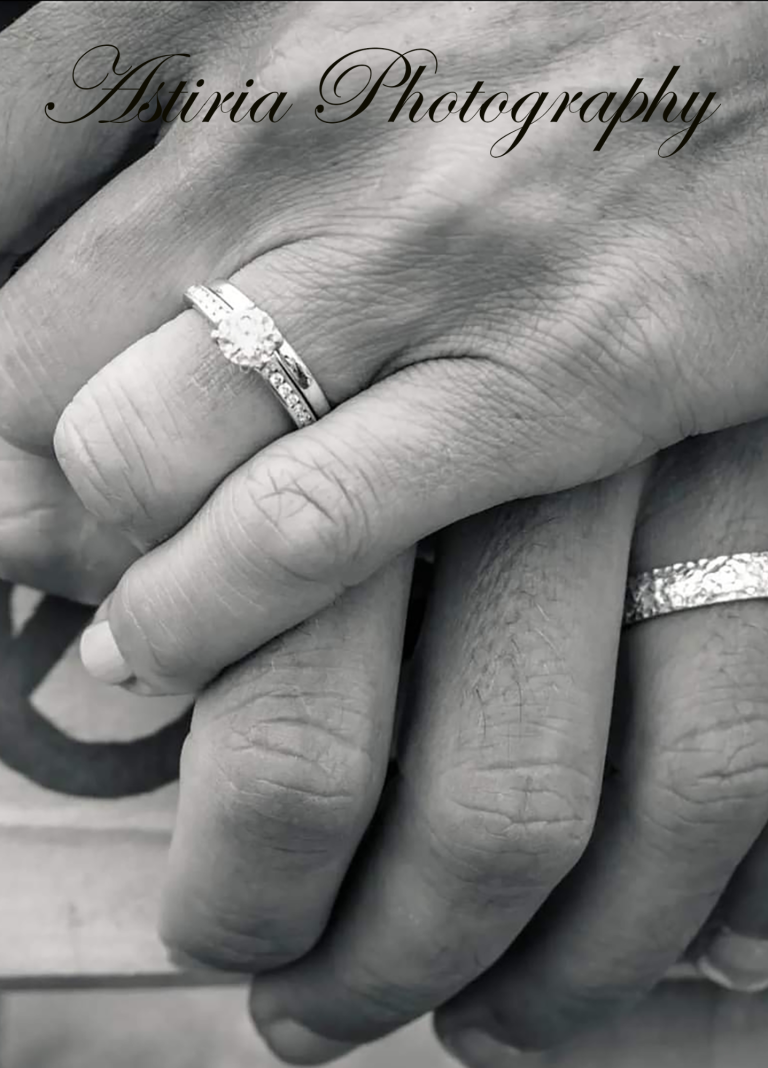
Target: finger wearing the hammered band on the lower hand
x,y
689,792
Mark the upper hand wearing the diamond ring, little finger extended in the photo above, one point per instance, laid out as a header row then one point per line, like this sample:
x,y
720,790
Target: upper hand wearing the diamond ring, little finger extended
x,y
573,336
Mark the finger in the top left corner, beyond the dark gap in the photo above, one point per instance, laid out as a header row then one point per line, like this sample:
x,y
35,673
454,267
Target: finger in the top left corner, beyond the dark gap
x,y
49,166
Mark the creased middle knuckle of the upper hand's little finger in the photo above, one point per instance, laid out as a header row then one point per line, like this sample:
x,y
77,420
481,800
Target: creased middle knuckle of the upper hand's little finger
x,y
311,515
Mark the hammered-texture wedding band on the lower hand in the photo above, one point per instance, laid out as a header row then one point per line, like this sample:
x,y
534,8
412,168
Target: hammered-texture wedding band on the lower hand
x,y
696,585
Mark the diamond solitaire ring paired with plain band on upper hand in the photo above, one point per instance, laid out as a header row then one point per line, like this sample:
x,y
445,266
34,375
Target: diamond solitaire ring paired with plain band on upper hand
x,y
249,338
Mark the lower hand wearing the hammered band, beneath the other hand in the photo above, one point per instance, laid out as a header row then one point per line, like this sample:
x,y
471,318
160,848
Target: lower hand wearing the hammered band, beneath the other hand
x,y
501,790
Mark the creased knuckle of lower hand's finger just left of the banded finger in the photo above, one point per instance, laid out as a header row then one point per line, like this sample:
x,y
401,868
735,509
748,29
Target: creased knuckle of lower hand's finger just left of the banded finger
x,y
513,828
